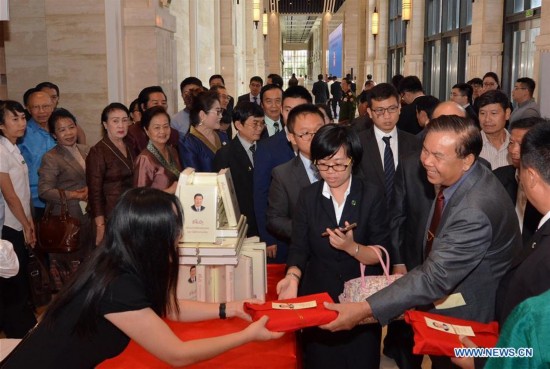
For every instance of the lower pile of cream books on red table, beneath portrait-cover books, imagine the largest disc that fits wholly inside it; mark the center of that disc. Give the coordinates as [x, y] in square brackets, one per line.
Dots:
[204, 277]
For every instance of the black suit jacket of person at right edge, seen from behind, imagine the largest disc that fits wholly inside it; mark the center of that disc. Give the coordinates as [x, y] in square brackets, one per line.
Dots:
[528, 276]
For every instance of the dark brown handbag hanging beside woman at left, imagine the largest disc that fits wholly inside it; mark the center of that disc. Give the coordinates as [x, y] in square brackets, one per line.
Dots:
[58, 233]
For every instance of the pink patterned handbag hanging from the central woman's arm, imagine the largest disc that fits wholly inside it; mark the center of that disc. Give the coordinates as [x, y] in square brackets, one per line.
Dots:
[358, 289]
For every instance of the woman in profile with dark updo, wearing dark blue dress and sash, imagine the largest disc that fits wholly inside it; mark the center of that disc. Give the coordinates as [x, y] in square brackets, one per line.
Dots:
[199, 146]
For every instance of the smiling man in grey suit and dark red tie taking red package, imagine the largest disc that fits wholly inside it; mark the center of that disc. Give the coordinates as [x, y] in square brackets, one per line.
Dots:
[473, 237]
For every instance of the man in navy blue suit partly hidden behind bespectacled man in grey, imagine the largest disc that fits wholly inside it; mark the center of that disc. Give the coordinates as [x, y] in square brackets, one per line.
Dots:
[270, 153]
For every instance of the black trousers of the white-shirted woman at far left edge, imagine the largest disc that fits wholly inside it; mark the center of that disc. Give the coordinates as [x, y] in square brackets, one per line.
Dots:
[16, 312]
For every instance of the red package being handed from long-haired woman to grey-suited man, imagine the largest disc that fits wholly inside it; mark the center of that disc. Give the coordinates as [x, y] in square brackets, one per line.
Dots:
[293, 314]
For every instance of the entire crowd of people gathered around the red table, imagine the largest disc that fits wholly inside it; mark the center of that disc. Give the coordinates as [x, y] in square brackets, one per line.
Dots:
[455, 190]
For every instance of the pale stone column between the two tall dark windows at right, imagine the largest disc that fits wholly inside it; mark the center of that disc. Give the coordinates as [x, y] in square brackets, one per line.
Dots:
[485, 51]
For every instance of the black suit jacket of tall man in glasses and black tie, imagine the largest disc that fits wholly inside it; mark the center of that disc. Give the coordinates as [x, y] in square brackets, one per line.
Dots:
[371, 163]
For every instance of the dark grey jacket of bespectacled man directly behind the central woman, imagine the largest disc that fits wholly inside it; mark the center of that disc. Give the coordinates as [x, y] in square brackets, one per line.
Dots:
[288, 179]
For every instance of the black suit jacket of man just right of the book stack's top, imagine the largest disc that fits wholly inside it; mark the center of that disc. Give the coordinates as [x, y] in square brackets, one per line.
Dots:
[234, 157]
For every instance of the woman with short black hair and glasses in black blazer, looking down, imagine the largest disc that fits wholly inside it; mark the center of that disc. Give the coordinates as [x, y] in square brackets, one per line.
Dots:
[322, 264]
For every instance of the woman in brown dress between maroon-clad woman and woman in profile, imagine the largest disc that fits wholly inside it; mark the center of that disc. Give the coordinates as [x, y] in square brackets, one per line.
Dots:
[158, 165]
